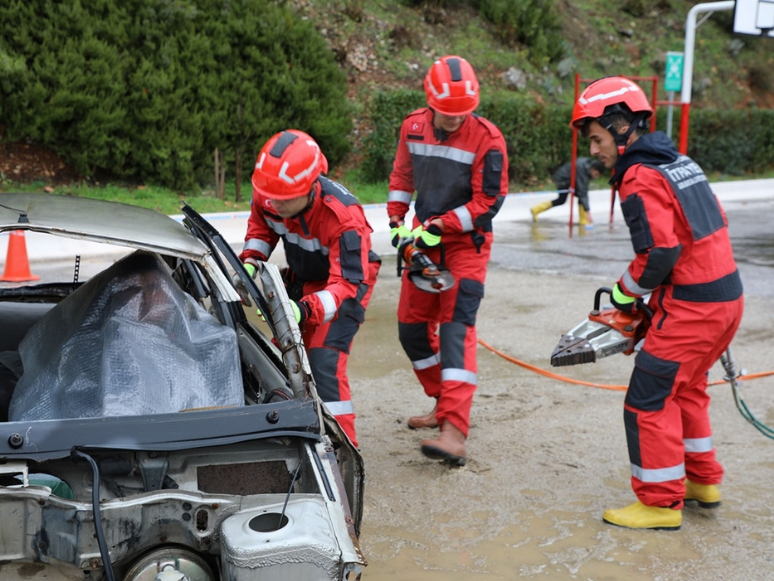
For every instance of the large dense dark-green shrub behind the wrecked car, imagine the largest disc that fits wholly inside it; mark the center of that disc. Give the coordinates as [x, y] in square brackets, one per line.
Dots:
[147, 89]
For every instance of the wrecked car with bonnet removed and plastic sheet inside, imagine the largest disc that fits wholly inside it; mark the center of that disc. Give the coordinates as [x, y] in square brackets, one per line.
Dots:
[149, 430]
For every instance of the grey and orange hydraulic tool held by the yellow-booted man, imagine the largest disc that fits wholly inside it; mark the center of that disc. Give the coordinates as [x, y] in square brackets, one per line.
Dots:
[604, 333]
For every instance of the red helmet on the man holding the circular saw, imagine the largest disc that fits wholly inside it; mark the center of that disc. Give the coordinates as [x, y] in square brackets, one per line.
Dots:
[451, 86]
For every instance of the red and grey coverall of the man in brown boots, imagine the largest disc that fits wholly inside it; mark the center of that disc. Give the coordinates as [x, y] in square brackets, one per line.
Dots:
[461, 178]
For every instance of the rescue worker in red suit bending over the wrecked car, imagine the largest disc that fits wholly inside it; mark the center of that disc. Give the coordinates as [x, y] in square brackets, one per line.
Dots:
[331, 267]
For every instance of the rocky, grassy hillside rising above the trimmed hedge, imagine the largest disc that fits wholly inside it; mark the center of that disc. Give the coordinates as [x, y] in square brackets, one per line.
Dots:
[389, 43]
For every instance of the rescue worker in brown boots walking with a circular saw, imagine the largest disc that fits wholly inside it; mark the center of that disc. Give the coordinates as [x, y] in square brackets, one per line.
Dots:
[456, 162]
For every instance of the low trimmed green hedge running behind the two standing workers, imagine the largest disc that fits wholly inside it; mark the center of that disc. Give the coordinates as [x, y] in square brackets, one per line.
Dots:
[539, 138]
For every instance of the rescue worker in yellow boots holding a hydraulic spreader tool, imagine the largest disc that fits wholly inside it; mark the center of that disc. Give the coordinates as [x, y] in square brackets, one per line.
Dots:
[684, 261]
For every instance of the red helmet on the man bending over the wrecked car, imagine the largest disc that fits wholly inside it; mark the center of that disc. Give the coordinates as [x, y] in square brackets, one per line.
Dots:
[288, 165]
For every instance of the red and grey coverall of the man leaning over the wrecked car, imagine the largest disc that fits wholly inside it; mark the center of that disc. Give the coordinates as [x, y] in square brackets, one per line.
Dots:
[330, 266]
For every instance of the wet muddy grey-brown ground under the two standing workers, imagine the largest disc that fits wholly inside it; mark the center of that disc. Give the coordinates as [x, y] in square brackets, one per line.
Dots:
[547, 457]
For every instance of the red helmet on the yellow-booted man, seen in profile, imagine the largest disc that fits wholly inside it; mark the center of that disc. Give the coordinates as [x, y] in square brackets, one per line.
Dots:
[609, 95]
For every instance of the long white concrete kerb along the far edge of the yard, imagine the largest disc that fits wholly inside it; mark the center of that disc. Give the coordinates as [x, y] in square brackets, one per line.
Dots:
[233, 225]
